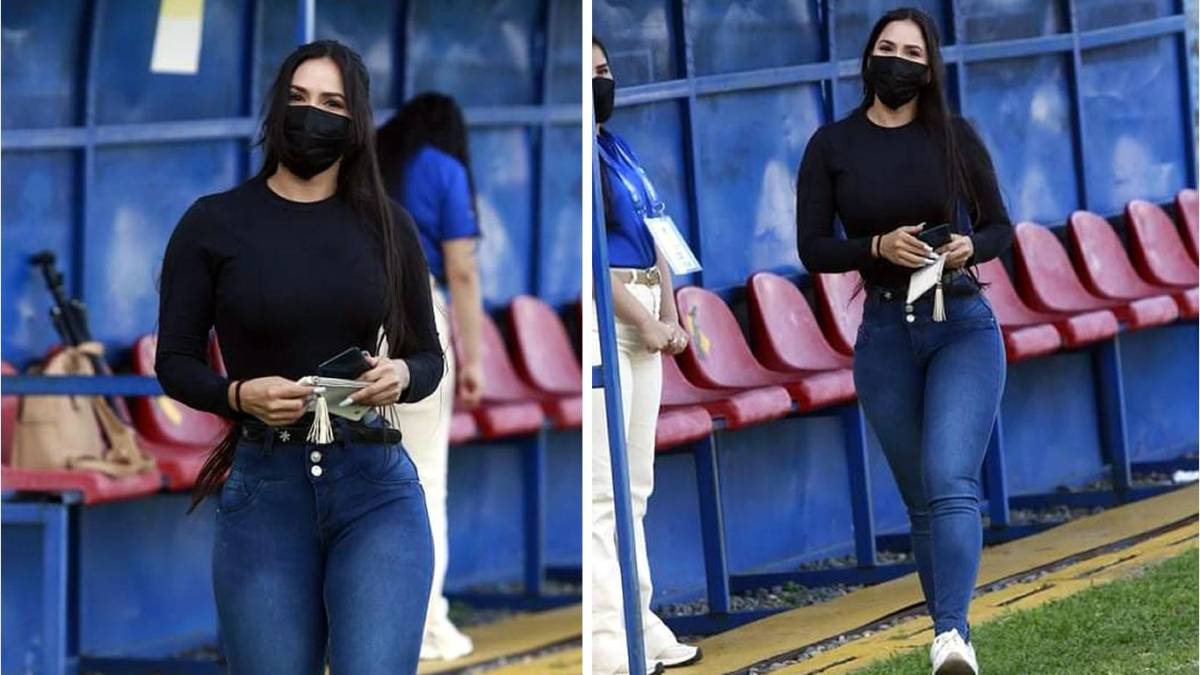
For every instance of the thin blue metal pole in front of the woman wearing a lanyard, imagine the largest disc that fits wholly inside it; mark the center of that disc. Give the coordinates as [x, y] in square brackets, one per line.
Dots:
[610, 380]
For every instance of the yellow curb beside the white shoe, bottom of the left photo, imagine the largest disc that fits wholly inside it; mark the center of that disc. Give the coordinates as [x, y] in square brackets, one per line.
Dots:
[518, 635]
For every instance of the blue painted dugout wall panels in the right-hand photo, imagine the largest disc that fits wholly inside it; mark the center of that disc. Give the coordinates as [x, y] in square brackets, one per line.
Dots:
[1084, 105]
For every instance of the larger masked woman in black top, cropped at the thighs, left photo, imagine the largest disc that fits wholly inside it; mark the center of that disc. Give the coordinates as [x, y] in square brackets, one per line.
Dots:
[315, 545]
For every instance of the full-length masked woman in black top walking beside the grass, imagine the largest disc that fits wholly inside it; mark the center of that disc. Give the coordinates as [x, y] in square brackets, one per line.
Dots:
[931, 386]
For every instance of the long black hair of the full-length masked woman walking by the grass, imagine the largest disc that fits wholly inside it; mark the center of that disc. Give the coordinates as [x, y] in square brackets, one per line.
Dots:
[933, 107]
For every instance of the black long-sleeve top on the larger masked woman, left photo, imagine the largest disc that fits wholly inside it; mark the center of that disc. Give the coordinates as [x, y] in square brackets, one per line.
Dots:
[287, 286]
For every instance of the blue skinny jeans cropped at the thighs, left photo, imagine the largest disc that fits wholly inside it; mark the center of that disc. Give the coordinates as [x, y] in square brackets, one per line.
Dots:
[322, 552]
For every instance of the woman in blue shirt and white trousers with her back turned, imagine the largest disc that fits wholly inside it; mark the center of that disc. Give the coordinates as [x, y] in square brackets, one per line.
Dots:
[427, 168]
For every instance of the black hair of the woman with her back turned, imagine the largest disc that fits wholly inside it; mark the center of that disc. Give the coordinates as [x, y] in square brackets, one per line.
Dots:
[428, 120]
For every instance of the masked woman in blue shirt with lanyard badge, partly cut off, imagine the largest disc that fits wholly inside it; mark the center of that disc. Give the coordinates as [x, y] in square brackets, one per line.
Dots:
[647, 327]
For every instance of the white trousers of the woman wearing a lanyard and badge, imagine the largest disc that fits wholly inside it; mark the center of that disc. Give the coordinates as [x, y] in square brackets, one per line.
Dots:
[641, 390]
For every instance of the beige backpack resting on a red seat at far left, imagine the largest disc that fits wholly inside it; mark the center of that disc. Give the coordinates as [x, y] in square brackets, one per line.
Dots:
[75, 433]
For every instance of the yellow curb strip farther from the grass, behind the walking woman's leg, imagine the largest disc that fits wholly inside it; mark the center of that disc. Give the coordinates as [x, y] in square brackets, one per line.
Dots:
[791, 630]
